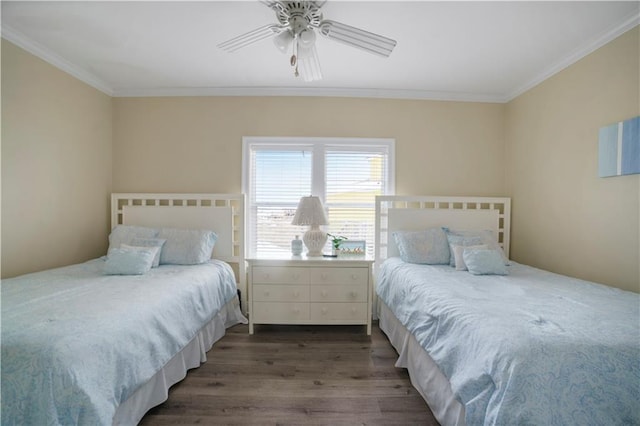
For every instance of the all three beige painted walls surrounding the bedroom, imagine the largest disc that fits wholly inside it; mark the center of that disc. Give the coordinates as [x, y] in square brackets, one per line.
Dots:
[540, 149]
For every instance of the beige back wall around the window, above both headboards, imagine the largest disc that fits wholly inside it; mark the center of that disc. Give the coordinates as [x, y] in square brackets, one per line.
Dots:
[195, 144]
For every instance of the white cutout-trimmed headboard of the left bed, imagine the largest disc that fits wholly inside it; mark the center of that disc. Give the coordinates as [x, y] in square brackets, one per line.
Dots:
[221, 213]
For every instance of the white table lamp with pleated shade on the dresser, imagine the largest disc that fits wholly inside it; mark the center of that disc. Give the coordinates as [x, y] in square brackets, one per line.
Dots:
[311, 212]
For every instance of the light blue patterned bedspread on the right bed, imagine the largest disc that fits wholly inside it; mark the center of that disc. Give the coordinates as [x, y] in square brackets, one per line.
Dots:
[532, 347]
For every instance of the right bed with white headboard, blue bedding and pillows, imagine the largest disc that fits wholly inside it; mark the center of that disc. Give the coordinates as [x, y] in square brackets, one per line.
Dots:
[488, 341]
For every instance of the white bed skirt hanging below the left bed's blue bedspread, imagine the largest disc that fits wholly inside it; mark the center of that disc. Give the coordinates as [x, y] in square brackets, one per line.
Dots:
[156, 390]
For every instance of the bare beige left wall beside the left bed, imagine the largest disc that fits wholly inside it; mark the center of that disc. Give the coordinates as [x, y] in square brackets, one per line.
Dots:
[56, 165]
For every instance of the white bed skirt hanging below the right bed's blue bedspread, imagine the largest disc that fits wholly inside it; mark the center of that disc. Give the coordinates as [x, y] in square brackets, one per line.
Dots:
[424, 373]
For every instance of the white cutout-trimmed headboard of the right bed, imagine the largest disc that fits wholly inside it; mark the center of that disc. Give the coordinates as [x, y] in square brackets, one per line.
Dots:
[420, 212]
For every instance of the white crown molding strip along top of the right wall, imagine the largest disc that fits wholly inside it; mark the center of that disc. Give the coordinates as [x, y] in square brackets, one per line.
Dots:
[591, 46]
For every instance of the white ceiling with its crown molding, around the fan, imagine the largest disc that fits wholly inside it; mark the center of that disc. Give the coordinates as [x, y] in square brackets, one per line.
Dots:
[453, 50]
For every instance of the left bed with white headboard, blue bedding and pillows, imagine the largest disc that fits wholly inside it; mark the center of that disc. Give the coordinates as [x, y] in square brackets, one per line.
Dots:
[101, 342]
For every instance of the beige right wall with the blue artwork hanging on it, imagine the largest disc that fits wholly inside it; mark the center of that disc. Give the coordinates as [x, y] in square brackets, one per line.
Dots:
[565, 218]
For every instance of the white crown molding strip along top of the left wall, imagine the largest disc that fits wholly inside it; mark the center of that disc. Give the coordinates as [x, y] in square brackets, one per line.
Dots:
[54, 59]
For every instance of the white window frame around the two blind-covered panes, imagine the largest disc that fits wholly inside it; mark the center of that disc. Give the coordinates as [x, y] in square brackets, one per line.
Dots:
[319, 147]
